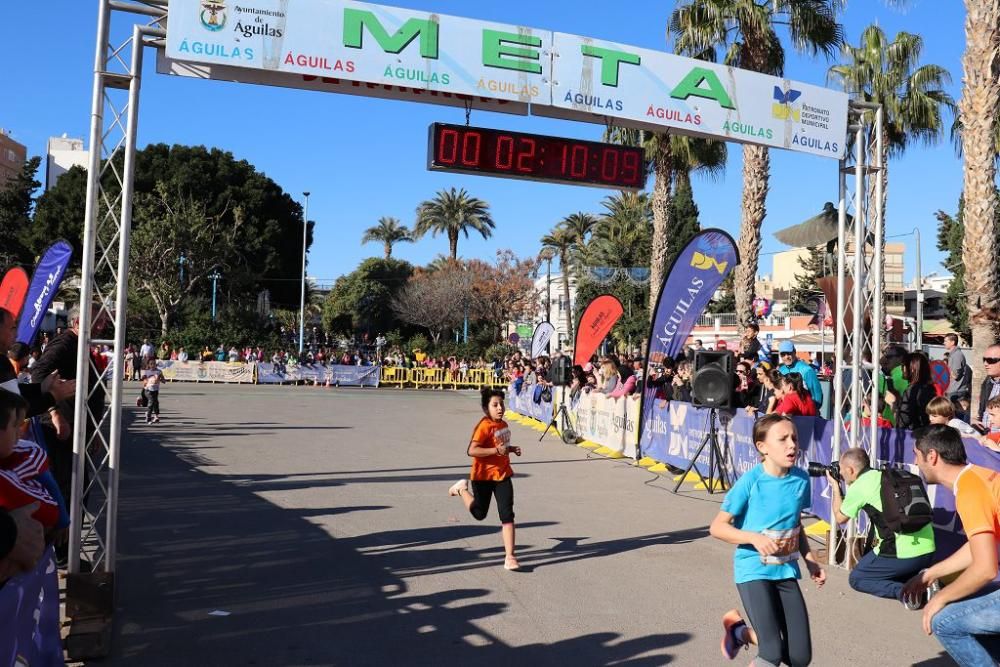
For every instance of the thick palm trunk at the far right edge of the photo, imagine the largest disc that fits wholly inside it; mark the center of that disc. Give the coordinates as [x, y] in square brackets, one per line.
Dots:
[978, 108]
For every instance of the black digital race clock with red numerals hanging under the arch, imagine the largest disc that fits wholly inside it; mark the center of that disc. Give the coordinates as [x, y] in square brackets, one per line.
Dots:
[477, 150]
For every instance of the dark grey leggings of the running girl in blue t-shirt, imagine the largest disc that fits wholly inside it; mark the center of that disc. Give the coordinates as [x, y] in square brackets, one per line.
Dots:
[778, 615]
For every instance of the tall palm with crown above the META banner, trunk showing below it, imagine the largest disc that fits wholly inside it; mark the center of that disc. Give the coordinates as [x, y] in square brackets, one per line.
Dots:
[746, 30]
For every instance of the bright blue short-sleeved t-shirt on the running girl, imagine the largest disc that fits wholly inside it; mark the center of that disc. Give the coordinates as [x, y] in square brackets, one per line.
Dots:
[761, 503]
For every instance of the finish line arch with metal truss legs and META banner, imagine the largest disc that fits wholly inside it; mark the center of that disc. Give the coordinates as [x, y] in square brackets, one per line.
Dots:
[524, 70]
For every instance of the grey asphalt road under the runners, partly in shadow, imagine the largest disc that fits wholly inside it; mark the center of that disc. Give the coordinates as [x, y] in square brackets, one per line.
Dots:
[308, 526]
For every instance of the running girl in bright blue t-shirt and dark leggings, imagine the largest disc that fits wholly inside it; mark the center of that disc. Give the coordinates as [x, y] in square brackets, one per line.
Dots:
[761, 515]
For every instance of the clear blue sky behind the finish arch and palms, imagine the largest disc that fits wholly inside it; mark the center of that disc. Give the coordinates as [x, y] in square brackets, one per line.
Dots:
[364, 158]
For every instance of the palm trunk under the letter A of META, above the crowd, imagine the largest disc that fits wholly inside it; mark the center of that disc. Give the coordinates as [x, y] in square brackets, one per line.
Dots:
[756, 175]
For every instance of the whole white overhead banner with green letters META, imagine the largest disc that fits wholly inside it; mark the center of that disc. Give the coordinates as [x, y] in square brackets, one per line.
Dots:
[367, 49]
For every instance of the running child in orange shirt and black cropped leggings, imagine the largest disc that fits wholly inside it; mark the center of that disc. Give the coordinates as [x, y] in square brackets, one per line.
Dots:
[490, 450]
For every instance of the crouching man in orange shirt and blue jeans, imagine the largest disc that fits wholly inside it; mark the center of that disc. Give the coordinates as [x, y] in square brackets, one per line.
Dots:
[960, 614]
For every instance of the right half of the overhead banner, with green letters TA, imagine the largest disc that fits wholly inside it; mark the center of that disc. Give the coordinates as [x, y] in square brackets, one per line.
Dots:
[594, 80]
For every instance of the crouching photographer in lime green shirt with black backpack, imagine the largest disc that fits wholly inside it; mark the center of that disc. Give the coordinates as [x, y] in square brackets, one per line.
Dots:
[904, 532]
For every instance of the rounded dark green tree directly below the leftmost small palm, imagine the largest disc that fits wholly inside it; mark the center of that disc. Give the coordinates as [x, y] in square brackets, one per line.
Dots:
[361, 300]
